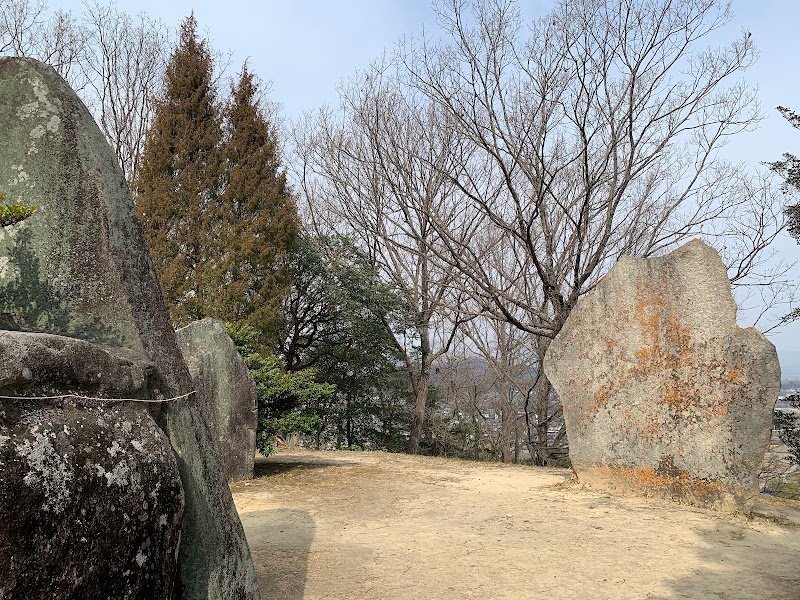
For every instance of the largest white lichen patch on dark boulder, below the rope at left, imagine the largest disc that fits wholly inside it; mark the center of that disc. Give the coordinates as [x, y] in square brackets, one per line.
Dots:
[47, 470]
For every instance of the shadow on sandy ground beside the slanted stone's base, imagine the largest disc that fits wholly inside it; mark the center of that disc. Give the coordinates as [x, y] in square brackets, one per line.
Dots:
[280, 542]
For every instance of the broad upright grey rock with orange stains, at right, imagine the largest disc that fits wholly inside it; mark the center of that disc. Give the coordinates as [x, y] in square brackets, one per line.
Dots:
[662, 392]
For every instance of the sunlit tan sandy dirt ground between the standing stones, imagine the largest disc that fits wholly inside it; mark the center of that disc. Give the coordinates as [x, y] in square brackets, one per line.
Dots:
[353, 526]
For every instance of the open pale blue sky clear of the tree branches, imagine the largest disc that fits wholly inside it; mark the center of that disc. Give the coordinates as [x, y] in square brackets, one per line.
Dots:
[306, 47]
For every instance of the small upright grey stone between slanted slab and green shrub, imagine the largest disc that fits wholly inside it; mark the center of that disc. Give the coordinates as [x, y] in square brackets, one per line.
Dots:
[226, 394]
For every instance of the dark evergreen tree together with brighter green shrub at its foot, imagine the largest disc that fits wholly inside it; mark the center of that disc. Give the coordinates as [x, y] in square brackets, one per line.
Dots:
[338, 380]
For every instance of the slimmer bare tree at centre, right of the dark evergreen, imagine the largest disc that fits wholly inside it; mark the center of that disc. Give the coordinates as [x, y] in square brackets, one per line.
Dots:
[379, 170]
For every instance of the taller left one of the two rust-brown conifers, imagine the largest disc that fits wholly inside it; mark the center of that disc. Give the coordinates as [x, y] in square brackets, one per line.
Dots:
[178, 178]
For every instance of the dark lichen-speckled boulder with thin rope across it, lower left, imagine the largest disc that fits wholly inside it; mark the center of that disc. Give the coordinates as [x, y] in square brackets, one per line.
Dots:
[90, 496]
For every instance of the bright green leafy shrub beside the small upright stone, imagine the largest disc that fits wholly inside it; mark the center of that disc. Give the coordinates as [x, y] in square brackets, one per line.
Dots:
[288, 402]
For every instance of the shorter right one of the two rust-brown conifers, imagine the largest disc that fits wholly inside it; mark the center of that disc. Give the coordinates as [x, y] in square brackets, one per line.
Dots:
[257, 217]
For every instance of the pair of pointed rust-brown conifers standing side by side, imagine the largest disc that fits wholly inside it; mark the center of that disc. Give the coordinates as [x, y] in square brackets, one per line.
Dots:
[212, 196]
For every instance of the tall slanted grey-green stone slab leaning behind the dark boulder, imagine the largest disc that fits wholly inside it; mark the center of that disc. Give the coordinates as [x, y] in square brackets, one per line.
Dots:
[80, 267]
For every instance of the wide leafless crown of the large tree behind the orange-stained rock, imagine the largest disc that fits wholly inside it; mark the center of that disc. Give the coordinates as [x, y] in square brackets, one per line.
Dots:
[590, 134]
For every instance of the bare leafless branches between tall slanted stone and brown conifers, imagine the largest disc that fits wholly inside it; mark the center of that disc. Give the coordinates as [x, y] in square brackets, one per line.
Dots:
[115, 62]
